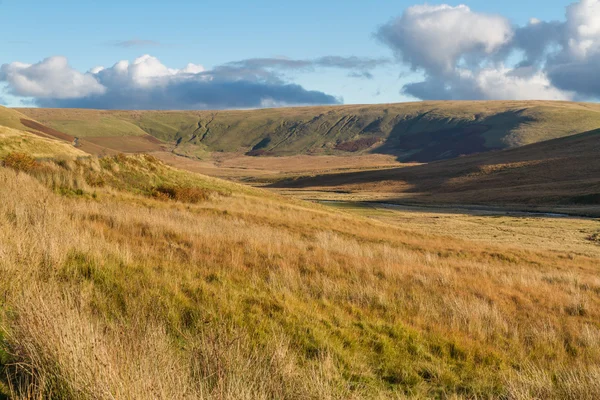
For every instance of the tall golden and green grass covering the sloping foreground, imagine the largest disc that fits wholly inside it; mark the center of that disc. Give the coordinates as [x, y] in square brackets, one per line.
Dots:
[109, 291]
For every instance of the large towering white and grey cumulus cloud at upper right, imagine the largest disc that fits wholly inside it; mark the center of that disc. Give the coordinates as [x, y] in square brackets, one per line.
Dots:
[463, 54]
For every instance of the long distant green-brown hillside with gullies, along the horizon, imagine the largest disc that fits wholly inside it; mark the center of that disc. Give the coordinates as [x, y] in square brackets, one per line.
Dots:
[422, 131]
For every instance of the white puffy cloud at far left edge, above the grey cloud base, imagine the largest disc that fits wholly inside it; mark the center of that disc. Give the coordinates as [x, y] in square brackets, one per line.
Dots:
[50, 78]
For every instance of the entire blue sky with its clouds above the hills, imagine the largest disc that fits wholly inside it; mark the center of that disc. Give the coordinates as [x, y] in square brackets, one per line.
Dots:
[265, 53]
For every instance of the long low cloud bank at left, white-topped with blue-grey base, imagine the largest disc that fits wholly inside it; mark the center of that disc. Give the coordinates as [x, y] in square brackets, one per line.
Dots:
[146, 83]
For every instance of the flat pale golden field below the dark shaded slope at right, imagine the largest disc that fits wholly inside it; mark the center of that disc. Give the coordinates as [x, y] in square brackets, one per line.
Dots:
[525, 231]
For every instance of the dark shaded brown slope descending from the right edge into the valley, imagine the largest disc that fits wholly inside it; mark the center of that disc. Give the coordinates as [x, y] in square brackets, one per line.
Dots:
[555, 172]
